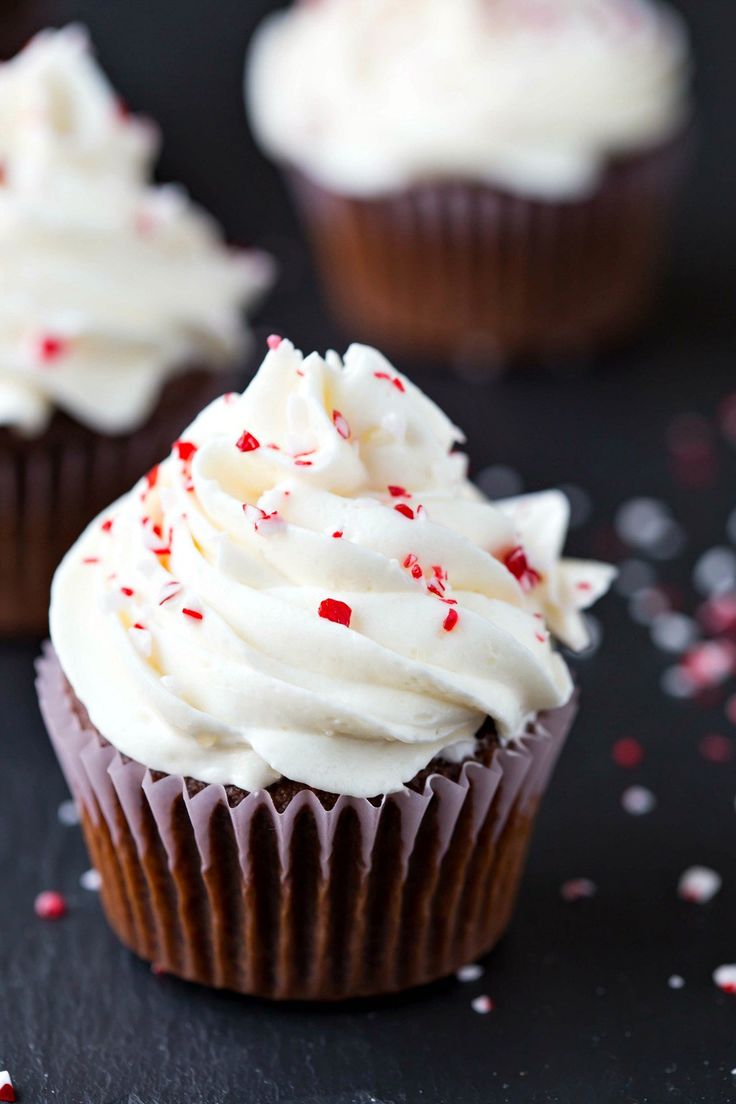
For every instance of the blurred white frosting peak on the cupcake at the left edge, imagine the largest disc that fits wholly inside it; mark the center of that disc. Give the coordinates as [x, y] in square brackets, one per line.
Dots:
[110, 285]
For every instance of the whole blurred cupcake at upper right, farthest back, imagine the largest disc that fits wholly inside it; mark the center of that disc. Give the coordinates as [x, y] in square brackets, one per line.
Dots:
[492, 179]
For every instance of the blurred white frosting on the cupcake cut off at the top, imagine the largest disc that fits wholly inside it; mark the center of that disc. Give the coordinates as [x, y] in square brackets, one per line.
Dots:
[367, 97]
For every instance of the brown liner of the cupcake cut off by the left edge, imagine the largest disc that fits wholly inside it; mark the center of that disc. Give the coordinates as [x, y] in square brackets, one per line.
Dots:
[52, 486]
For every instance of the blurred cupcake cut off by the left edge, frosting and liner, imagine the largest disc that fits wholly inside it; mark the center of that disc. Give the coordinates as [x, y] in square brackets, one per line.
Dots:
[121, 314]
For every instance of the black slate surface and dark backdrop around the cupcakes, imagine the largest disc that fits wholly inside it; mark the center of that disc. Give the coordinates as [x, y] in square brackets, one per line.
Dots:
[584, 1011]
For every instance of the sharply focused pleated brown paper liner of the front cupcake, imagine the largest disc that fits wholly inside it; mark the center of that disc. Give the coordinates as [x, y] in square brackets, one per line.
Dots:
[307, 904]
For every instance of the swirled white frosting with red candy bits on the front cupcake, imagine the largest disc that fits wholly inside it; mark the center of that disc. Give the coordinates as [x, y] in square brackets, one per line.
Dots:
[261, 685]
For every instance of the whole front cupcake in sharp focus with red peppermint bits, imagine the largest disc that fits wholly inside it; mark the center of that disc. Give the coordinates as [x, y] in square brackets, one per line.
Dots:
[304, 688]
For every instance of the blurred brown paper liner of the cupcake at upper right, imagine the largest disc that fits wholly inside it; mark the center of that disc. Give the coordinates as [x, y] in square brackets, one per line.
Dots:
[463, 270]
